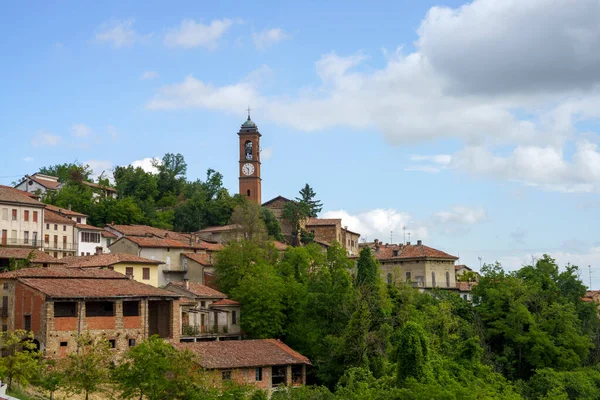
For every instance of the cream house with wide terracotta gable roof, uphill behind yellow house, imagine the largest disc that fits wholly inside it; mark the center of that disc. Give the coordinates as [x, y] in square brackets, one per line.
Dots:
[167, 249]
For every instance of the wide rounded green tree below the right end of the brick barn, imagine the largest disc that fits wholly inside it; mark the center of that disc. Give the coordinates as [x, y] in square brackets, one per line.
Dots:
[155, 370]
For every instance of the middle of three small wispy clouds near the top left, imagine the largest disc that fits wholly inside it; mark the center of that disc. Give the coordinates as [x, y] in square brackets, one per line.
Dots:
[192, 34]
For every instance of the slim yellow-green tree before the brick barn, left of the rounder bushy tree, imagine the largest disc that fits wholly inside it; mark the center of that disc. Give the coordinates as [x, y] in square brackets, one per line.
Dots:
[88, 369]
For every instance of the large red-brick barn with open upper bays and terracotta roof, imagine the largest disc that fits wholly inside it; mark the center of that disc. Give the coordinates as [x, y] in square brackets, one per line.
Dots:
[58, 304]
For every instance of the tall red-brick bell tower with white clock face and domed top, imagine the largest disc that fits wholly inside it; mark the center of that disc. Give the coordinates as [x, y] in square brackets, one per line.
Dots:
[250, 181]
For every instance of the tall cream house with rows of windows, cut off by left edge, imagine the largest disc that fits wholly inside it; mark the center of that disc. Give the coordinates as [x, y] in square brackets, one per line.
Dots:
[21, 219]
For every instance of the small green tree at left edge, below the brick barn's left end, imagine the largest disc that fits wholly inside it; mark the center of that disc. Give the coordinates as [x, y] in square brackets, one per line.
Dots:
[20, 357]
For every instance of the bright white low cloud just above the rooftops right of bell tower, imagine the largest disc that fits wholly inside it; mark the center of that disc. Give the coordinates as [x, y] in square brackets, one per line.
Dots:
[378, 223]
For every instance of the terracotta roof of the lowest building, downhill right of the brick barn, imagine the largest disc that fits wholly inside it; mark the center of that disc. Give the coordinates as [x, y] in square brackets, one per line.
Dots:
[243, 353]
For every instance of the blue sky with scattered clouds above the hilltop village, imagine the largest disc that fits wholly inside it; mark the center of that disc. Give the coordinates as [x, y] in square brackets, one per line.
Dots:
[470, 126]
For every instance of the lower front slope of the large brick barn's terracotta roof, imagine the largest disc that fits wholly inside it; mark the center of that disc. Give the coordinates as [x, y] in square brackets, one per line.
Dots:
[94, 287]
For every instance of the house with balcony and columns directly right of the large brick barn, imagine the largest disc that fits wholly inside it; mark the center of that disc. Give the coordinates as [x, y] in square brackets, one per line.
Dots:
[206, 314]
